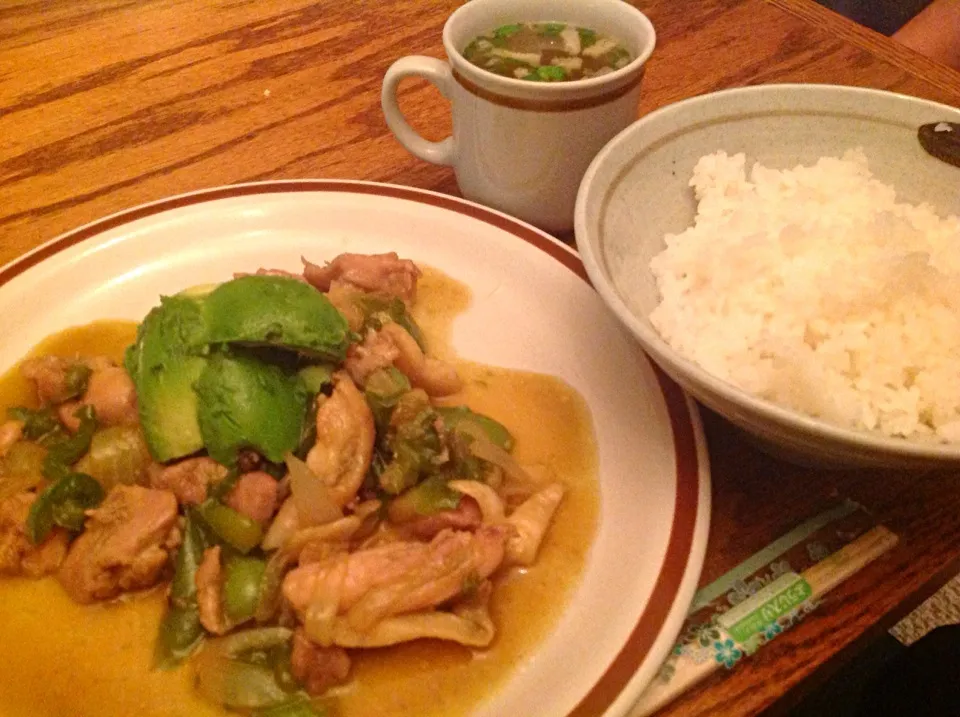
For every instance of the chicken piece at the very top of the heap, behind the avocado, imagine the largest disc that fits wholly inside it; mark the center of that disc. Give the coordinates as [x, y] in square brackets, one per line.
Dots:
[385, 274]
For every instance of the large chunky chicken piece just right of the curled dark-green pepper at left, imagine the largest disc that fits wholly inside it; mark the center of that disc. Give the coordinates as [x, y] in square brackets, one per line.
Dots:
[124, 545]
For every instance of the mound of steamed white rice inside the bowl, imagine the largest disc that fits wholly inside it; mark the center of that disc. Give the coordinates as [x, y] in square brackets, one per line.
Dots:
[815, 289]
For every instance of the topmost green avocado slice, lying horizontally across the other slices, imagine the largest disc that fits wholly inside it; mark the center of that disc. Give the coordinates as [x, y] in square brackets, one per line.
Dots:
[276, 311]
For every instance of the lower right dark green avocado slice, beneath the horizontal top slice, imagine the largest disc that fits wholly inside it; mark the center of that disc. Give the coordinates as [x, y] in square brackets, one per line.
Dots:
[245, 403]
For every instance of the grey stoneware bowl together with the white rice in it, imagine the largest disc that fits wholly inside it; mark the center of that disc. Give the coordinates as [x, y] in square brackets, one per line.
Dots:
[790, 255]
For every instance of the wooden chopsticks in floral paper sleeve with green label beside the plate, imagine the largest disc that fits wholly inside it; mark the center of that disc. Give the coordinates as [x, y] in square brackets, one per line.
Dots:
[759, 618]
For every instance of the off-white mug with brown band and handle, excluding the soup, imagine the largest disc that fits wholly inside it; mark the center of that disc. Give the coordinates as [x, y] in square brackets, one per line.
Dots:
[522, 147]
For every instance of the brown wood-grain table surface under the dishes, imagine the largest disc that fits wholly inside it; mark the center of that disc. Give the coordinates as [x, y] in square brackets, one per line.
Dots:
[108, 103]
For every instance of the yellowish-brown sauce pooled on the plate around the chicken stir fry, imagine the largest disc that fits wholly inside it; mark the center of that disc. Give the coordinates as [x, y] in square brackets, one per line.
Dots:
[60, 658]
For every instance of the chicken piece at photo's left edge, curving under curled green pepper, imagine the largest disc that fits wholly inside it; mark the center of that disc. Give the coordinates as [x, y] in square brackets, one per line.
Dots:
[18, 556]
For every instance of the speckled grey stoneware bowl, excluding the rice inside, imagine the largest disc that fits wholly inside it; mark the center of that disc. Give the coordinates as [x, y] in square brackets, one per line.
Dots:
[636, 191]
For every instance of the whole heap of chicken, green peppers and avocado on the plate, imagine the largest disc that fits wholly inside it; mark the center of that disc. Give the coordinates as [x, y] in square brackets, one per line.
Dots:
[283, 455]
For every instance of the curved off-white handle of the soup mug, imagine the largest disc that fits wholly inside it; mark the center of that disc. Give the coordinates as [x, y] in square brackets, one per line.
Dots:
[438, 74]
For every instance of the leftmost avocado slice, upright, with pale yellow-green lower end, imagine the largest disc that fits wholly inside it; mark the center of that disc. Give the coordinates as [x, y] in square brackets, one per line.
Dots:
[165, 362]
